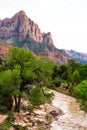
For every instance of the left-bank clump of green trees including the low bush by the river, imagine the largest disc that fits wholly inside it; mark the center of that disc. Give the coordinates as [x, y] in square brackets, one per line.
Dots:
[22, 71]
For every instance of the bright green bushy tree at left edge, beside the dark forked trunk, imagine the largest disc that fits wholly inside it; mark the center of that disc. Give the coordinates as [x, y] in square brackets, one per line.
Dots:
[9, 81]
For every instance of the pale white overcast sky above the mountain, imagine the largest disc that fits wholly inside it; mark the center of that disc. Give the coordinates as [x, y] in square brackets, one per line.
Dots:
[65, 19]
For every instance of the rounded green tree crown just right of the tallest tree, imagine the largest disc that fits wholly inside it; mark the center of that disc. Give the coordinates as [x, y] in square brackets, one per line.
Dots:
[44, 71]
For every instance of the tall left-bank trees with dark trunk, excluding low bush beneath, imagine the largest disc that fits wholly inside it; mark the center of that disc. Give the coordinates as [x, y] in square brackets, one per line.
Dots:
[24, 68]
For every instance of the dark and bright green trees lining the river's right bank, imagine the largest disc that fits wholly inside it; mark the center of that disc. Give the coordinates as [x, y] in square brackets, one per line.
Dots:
[71, 79]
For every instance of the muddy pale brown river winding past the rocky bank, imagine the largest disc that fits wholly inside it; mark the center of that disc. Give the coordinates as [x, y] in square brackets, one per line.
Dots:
[73, 118]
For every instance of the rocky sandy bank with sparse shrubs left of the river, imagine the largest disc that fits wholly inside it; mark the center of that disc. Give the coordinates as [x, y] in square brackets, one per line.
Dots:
[39, 119]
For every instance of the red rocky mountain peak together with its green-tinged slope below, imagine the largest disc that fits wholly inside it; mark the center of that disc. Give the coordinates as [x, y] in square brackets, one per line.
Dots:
[23, 32]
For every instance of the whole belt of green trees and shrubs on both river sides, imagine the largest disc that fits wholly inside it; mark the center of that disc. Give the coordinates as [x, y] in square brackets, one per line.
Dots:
[24, 75]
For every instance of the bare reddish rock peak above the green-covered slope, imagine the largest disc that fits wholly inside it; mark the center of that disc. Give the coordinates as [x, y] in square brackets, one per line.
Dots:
[22, 27]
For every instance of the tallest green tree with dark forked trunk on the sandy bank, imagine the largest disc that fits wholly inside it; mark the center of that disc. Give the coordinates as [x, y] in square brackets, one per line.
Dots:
[23, 60]
